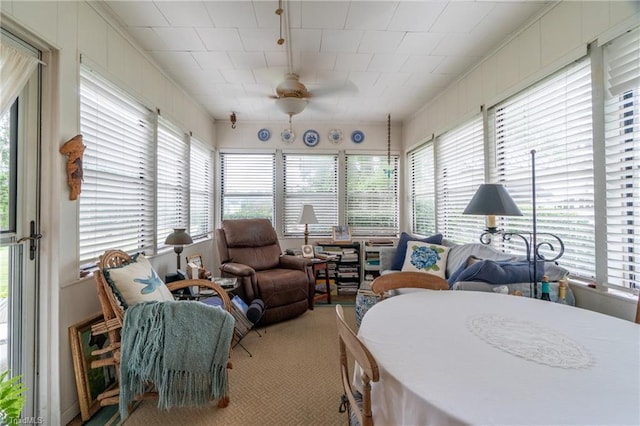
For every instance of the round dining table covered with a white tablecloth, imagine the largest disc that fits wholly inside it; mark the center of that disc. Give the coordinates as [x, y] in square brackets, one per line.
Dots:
[458, 357]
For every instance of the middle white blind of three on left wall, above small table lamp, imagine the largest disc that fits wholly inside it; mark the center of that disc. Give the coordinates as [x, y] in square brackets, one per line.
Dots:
[172, 196]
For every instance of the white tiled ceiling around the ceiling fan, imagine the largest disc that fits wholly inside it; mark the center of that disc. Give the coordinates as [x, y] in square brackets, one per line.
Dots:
[361, 60]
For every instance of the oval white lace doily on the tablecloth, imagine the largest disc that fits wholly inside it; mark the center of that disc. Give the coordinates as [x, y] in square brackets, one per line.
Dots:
[529, 341]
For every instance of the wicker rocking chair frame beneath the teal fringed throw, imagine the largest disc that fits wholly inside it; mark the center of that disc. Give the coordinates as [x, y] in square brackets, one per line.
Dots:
[113, 313]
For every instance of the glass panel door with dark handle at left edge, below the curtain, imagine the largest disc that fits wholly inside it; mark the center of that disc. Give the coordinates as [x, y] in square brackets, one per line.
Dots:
[19, 191]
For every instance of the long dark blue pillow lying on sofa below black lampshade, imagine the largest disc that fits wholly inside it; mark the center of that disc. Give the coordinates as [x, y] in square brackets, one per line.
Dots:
[493, 272]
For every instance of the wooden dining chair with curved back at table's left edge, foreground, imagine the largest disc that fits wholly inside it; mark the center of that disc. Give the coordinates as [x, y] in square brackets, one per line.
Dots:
[357, 404]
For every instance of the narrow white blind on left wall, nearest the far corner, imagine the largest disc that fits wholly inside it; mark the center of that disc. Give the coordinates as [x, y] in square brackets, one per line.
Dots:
[200, 190]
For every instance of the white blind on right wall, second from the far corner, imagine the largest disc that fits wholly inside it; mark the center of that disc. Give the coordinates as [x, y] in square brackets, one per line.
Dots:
[459, 172]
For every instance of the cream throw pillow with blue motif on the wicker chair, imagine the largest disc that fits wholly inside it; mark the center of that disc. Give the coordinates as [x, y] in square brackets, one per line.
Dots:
[137, 282]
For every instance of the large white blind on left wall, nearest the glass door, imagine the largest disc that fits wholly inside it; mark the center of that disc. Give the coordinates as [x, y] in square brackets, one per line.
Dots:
[116, 205]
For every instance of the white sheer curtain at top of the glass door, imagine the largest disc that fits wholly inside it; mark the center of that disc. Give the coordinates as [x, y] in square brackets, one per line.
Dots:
[16, 68]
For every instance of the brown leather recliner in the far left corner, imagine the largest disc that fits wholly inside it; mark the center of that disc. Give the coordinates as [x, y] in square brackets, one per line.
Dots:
[250, 251]
